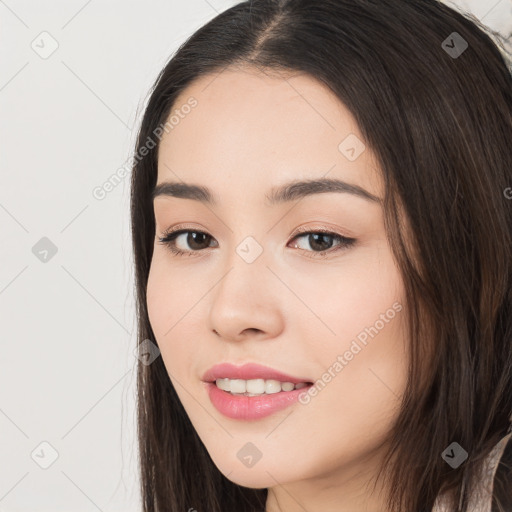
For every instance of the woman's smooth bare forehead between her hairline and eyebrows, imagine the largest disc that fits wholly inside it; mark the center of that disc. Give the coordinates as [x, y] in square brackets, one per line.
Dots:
[249, 127]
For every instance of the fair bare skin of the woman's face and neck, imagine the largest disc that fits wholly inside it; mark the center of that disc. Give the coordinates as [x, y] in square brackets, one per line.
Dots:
[288, 309]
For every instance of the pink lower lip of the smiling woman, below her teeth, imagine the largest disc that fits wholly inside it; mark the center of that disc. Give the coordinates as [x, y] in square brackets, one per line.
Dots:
[251, 407]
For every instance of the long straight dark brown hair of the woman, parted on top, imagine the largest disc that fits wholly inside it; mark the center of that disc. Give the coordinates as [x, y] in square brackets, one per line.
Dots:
[432, 95]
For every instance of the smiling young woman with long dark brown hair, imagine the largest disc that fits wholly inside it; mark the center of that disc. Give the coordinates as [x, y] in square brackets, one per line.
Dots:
[323, 236]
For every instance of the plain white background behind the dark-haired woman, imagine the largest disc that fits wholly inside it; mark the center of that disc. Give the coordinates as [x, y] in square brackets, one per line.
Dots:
[68, 122]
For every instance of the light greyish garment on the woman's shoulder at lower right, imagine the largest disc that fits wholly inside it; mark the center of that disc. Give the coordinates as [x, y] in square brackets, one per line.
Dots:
[481, 497]
